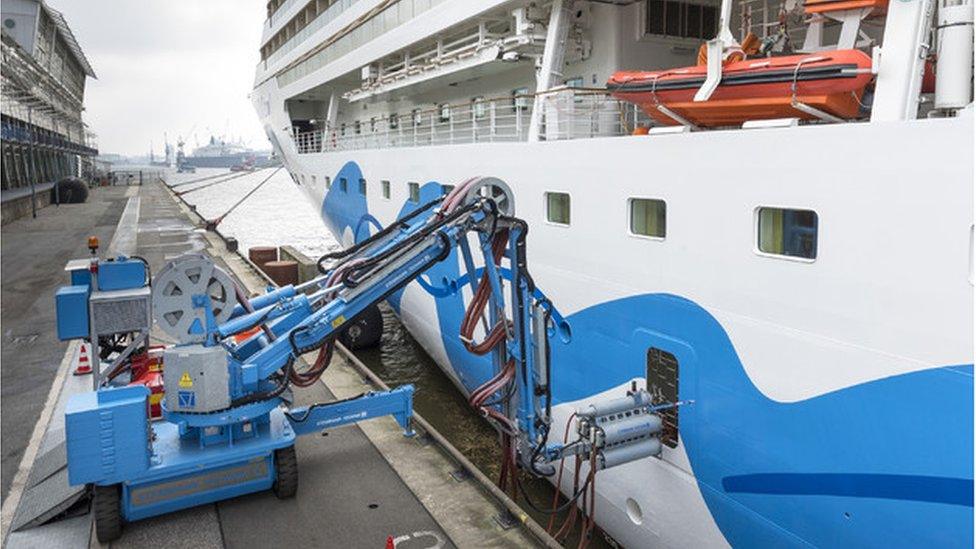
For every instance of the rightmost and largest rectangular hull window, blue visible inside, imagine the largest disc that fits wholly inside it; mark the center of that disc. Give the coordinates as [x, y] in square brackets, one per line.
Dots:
[792, 233]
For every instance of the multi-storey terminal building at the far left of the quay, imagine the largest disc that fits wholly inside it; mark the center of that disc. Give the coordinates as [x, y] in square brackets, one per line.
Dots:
[44, 137]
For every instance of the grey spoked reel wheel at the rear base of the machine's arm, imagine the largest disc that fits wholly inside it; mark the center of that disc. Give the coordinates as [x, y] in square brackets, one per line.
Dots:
[174, 288]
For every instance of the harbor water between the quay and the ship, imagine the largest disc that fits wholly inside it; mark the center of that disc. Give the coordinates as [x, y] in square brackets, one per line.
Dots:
[399, 359]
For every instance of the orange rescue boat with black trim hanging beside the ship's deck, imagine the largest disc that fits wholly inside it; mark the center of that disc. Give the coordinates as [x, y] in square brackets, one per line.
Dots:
[754, 89]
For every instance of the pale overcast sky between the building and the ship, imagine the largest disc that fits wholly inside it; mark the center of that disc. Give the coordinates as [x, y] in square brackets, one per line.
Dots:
[183, 67]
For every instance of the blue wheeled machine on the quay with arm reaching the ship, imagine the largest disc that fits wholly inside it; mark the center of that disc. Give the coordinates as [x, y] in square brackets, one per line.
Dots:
[228, 428]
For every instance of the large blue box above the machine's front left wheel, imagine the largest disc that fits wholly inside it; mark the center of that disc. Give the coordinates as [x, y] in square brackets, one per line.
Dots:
[107, 434]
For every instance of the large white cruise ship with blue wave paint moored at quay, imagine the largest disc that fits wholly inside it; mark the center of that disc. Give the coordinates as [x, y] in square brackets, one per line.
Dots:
[762, 209]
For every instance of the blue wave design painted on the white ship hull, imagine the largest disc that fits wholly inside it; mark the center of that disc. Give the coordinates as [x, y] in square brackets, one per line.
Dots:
[883, 463]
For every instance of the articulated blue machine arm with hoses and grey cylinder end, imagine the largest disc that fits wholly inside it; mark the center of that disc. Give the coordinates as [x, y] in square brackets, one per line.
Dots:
[517, 398]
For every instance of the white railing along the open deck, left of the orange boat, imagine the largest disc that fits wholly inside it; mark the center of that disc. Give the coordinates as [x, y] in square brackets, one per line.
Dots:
[568, 113]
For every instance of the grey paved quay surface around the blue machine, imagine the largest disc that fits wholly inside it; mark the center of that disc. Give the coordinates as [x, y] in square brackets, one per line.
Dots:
[357, 486]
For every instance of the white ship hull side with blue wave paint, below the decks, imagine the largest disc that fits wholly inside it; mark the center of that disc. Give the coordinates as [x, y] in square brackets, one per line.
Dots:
[832, 397]
